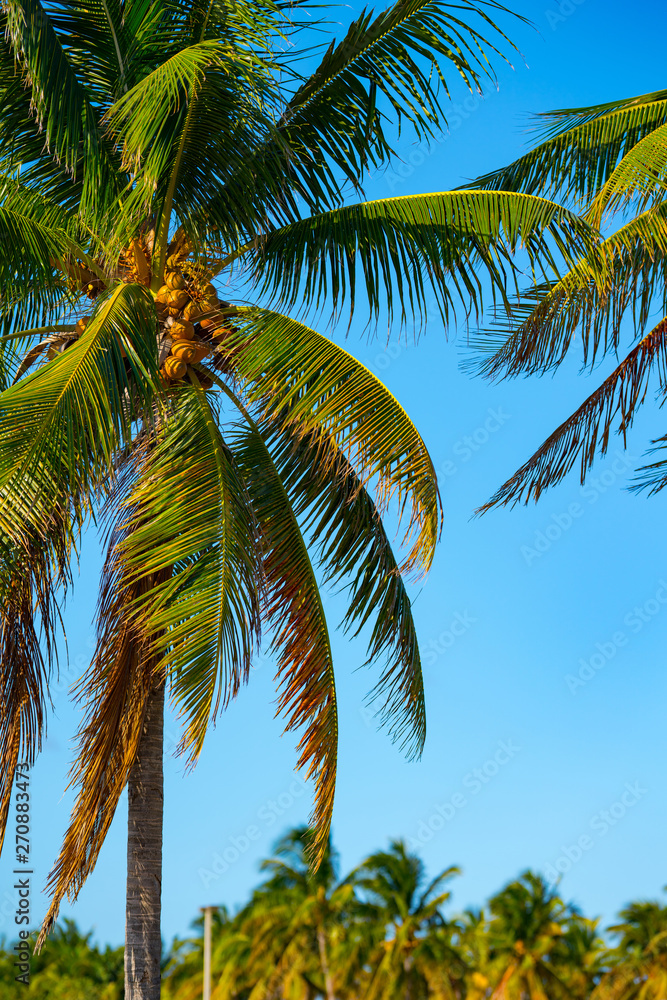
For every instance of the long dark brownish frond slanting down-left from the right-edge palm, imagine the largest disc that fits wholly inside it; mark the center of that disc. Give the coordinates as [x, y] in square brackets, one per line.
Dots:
[586, 433]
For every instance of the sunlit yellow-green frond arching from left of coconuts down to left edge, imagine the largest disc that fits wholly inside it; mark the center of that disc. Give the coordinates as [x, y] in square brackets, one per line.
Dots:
[62, 425]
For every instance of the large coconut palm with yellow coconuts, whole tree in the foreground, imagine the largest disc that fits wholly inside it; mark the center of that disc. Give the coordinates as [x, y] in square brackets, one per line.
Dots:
[150, 150]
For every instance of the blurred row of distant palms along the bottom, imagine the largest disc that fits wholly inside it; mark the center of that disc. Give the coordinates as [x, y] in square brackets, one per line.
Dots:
[381, 932]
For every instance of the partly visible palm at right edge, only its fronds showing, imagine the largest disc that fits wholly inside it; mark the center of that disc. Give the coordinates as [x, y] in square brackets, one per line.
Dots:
[609, 163]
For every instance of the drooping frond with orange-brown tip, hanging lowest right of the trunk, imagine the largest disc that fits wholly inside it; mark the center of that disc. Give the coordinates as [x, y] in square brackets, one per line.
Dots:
[293, 610]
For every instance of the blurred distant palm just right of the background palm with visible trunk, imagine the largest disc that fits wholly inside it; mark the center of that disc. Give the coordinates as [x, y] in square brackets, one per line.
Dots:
[413, 957]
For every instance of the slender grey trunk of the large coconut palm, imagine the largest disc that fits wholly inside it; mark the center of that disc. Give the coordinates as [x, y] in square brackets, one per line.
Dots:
[143, 942]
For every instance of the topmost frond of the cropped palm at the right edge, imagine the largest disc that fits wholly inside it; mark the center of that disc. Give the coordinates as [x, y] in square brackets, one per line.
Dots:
[581, 148]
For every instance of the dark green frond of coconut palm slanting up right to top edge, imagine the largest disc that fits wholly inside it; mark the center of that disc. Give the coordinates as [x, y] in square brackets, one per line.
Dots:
[332, 126]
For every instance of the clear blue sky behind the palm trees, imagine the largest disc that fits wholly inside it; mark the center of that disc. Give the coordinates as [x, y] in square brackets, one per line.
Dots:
[544, 629]
